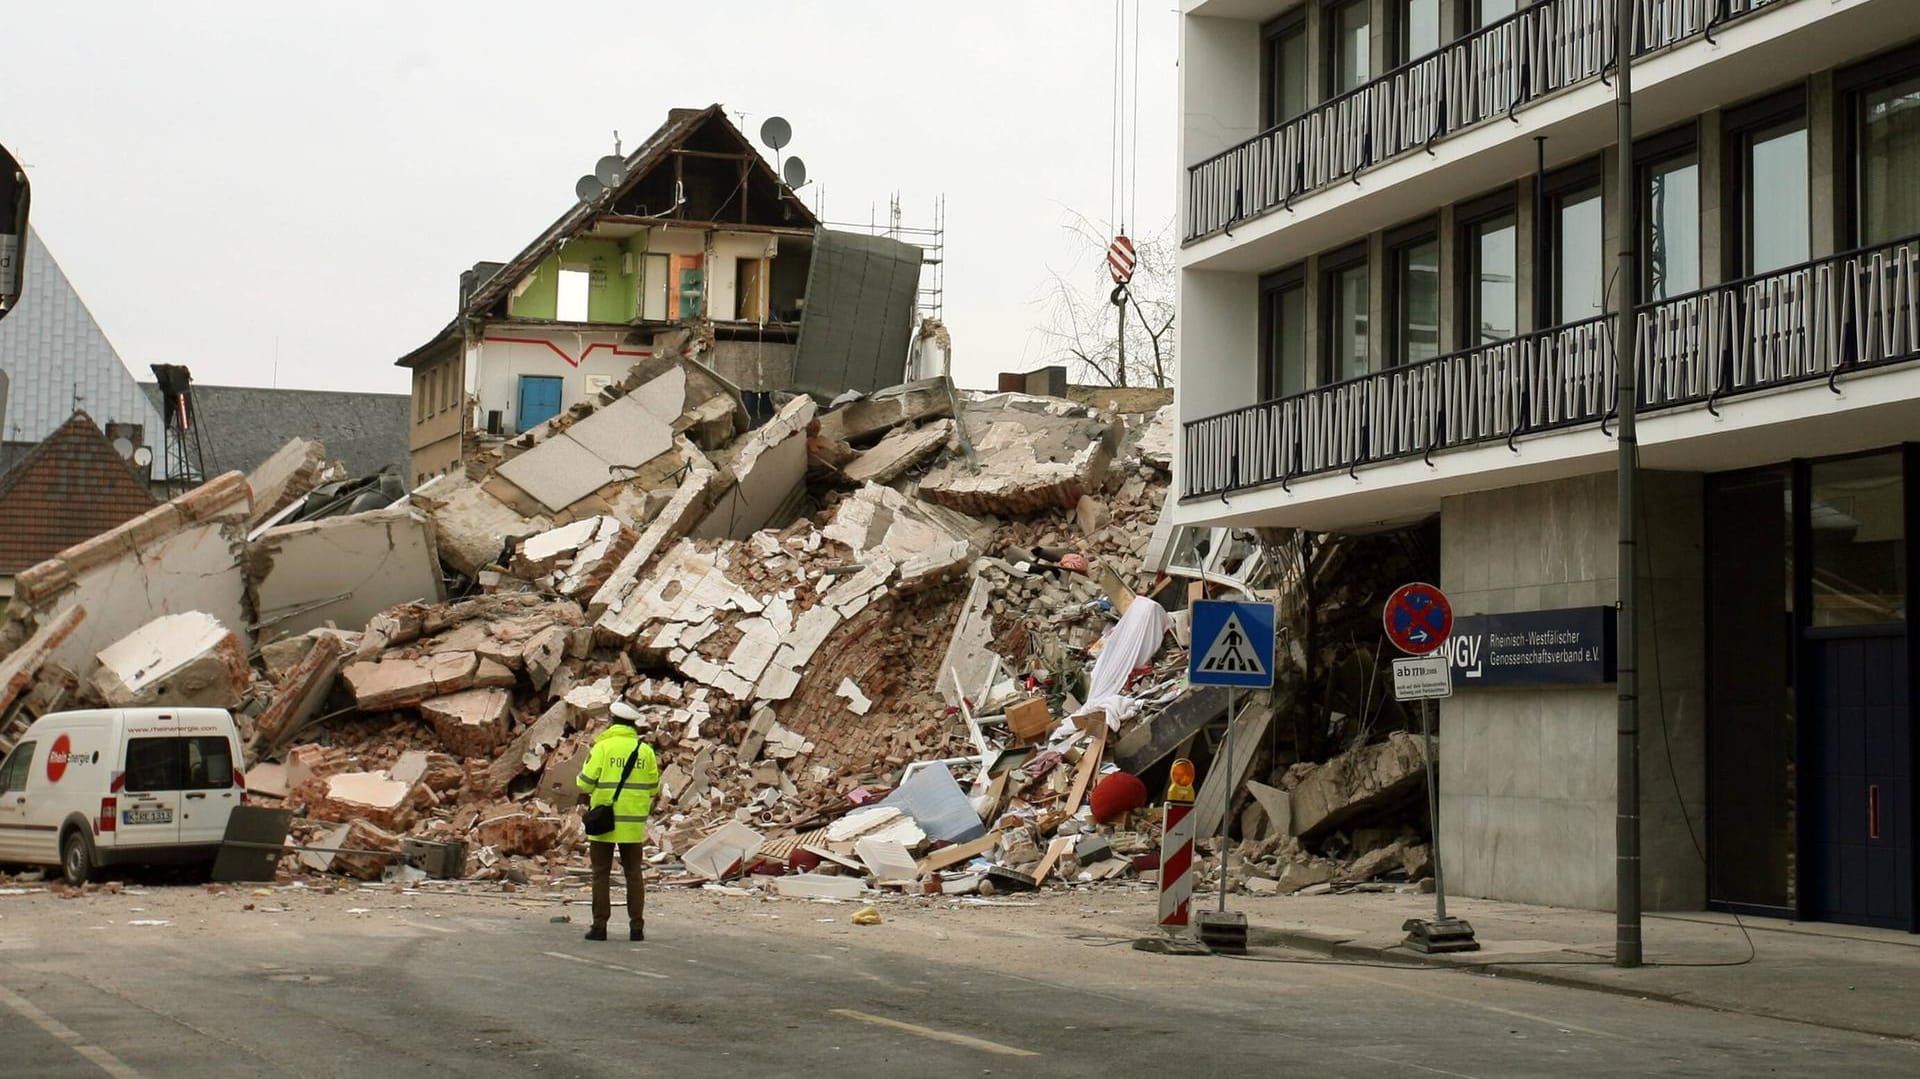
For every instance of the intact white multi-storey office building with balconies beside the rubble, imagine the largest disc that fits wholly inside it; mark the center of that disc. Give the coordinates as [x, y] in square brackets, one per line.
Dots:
[1399, 314]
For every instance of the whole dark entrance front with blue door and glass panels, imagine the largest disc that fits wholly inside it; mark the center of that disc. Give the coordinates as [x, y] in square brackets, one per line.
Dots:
[1810, 671]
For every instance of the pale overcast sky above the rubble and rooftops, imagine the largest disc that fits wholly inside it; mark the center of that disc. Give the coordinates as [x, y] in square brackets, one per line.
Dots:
[228, 183]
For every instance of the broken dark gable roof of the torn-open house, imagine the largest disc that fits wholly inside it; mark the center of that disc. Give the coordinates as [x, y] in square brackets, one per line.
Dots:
[681, 130]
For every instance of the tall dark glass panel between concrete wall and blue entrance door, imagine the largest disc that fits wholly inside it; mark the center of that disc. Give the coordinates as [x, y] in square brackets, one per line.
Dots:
[1750, 690]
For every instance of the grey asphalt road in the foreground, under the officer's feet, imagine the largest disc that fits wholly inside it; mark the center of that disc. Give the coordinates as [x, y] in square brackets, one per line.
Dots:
[477, 986]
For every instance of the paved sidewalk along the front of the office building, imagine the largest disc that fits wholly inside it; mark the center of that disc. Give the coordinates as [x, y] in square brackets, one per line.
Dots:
[1831, 976]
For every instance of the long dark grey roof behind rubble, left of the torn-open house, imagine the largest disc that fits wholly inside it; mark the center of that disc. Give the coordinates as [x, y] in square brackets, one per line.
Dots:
[247, 425]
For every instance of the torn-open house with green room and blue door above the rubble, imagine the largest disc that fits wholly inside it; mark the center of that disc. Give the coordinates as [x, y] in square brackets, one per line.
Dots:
[696, 249]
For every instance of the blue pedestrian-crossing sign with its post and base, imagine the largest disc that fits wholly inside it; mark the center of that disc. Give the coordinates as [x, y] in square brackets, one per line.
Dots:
[1234, 648]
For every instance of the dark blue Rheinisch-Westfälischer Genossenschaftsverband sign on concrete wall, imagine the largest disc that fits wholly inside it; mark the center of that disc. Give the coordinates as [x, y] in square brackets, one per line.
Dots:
[1533, 648]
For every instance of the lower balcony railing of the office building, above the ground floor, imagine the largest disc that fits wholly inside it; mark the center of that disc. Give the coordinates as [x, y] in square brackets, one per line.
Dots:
[1813, 322]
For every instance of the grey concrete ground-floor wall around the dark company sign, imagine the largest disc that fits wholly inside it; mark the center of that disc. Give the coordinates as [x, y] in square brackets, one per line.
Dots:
[1527, 803]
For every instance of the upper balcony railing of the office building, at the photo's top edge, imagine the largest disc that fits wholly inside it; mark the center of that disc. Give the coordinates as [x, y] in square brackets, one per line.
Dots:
[1470, 82]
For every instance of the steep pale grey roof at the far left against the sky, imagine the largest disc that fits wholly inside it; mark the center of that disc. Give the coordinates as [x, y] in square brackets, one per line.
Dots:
[53, 350]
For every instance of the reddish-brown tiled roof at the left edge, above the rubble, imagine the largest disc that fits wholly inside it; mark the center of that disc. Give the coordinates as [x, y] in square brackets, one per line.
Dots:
[70, 489]
